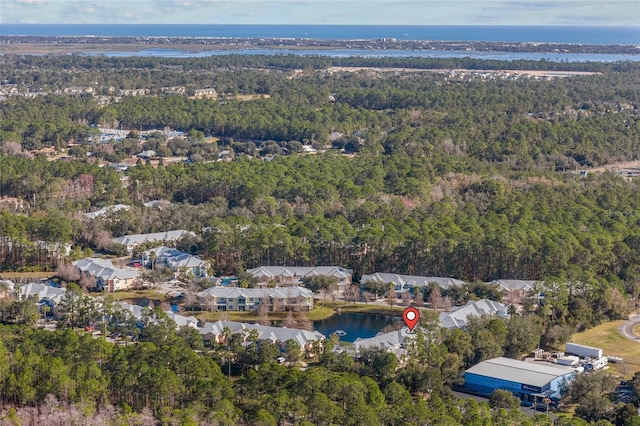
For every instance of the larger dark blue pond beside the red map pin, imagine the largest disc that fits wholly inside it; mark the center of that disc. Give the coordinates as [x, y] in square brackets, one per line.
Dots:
[354, 324]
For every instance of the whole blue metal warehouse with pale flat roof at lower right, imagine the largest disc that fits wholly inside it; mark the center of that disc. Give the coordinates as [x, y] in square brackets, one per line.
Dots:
[532, 382]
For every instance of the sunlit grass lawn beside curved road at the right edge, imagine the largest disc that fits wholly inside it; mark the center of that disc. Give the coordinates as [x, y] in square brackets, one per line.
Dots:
[606, 336]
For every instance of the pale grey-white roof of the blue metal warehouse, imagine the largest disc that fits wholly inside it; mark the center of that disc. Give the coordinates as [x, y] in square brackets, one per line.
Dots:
[512, 370]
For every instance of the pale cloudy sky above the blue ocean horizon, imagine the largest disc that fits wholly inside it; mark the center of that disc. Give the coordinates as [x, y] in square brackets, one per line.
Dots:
[350, 12]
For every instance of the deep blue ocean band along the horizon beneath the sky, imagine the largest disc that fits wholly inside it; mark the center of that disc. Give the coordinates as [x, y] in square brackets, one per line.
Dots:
[534, 34]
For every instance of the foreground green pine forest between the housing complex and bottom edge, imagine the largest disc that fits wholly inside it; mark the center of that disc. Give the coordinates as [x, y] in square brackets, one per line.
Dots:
[169, 377]
